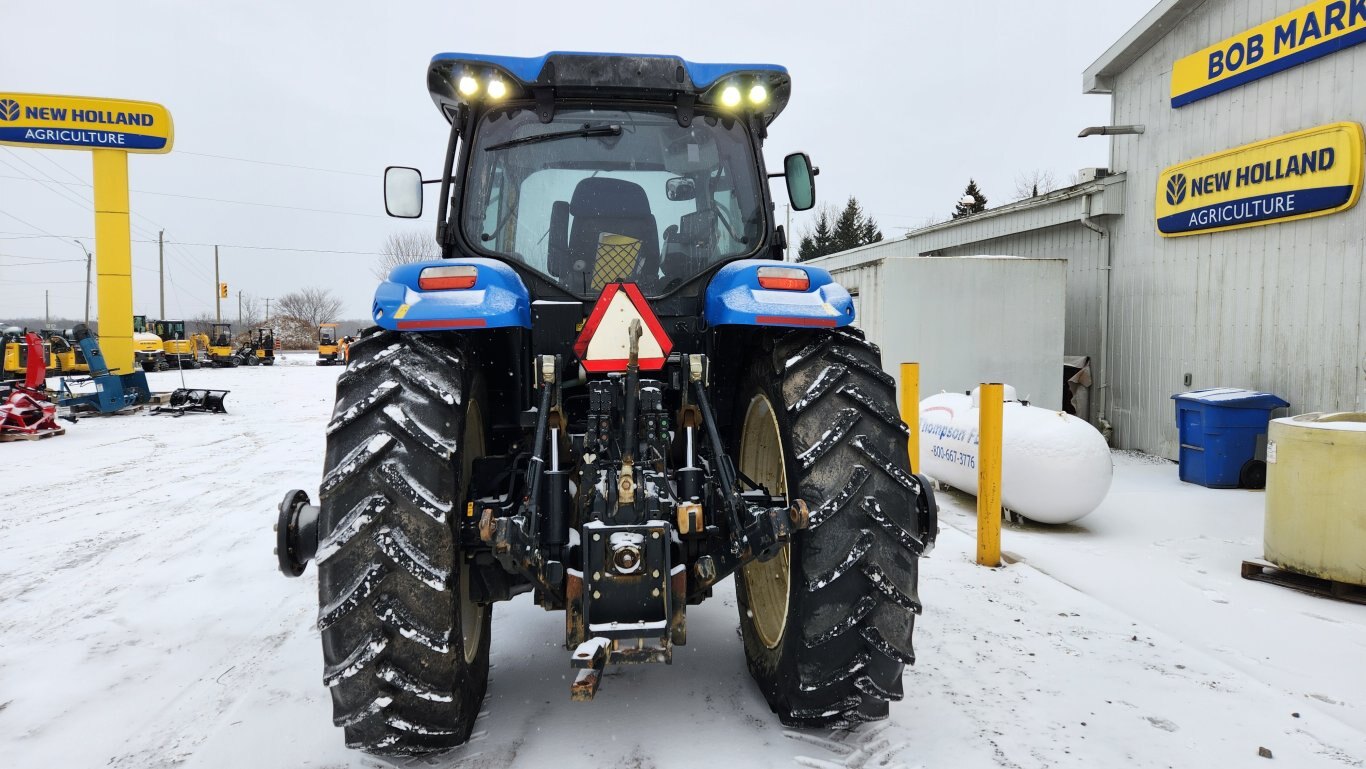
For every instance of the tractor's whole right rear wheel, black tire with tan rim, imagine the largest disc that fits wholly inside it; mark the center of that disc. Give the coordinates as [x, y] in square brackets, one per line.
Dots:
[827, 625]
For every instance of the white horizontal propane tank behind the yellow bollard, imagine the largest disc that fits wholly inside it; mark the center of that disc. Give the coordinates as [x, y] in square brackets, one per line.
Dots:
[1055, 468]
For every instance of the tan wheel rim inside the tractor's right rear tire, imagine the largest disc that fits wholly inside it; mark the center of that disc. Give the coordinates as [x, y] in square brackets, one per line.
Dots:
[768, 584]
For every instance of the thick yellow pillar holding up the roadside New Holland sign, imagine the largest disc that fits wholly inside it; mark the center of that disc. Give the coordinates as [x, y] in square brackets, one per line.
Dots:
[114, 257]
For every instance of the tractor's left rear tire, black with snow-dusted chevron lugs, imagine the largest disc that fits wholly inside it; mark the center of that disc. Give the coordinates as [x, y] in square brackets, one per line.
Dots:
[406, 651]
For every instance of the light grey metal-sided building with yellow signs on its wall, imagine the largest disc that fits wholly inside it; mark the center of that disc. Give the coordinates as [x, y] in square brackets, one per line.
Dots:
[1225, 245]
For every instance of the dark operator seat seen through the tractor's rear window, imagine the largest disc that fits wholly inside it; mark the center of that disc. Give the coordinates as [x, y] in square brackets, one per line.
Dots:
[613, 237]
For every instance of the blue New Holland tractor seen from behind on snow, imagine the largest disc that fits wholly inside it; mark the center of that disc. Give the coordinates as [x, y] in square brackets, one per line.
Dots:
[613, 394]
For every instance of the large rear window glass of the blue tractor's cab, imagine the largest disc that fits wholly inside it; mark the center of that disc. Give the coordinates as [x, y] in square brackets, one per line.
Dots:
[599, 196]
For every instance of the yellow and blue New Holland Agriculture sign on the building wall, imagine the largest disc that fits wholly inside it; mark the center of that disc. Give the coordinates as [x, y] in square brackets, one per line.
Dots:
[1298, 176]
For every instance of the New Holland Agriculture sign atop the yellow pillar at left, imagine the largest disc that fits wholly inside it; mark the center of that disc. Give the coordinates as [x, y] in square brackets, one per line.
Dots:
[73, 122]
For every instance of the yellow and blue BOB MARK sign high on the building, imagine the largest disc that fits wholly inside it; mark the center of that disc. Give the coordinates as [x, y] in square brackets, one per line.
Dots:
[1301, 36]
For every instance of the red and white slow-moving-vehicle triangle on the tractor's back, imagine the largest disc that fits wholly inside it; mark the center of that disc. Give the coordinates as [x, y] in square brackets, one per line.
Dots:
[606, 342]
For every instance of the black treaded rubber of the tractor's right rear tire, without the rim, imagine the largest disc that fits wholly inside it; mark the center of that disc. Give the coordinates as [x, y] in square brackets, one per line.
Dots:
[859, 568]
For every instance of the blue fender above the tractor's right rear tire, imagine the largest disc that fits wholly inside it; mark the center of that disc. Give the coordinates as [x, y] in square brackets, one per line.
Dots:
[736, 298]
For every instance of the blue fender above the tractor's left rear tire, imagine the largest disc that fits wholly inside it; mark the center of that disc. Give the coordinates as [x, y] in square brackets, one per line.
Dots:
[498, 300]
